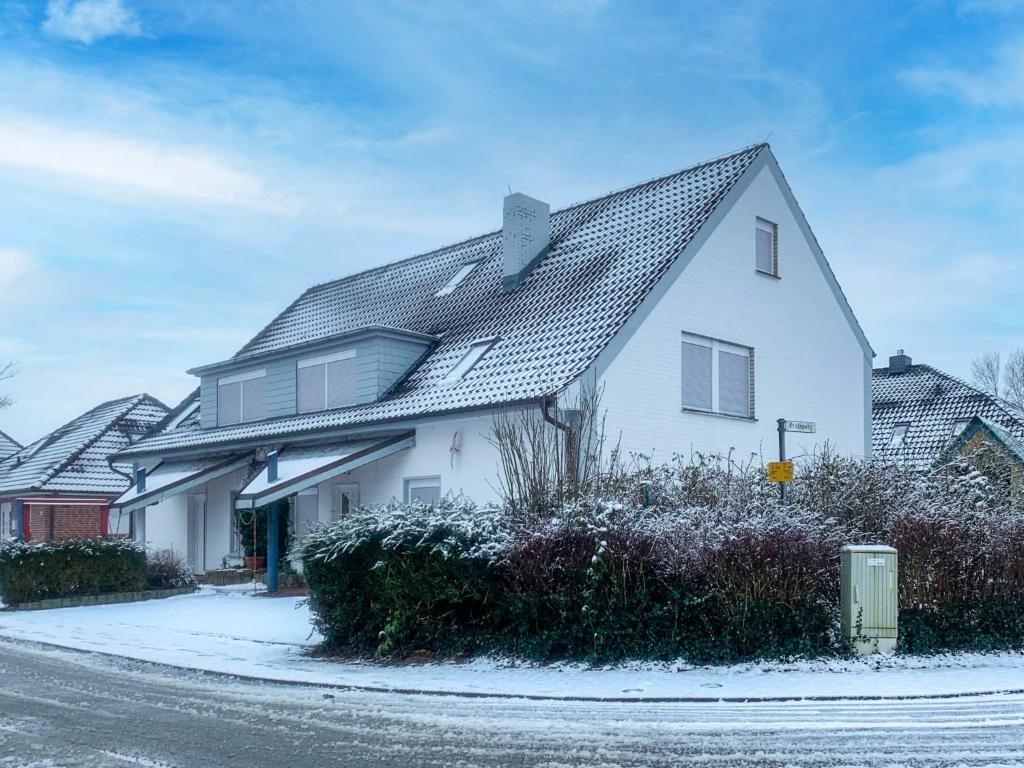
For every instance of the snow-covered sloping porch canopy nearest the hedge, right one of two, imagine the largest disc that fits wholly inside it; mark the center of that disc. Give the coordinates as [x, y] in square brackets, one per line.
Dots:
[301, 468]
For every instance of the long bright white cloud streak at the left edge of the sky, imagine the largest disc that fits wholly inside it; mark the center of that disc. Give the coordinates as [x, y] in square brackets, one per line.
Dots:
[189, 174]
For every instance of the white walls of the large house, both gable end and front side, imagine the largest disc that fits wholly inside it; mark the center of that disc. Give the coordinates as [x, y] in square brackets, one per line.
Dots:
[809, 362]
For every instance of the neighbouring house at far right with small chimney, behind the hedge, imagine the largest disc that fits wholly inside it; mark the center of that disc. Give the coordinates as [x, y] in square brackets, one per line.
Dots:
[924, 416]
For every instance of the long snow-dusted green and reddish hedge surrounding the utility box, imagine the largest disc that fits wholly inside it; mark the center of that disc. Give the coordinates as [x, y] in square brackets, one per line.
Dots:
[698, 560]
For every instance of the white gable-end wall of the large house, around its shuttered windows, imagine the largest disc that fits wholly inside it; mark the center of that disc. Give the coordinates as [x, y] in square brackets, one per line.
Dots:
[808, 363]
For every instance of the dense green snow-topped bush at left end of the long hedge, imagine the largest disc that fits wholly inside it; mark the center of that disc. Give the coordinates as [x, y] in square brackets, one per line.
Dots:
[400, 578]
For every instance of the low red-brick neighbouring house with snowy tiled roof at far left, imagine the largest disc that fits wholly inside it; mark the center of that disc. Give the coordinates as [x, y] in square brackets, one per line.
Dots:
[65, 481]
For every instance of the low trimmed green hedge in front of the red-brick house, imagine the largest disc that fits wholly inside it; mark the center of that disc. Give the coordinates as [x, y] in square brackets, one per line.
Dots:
[41, 571]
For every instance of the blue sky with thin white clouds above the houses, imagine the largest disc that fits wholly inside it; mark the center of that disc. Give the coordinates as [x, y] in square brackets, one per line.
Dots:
[174, 175]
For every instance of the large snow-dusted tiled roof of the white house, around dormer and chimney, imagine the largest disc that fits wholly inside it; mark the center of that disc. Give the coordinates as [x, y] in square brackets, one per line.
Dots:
[606, 258]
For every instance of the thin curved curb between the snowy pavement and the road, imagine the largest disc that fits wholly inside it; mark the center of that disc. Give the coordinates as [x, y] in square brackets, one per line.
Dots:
[523, 697]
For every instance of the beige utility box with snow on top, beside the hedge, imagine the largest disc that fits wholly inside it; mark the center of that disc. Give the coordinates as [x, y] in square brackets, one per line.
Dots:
[869, 579]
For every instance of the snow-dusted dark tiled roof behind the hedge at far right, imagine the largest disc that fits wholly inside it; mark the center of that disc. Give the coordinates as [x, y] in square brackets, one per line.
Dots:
[931, 403]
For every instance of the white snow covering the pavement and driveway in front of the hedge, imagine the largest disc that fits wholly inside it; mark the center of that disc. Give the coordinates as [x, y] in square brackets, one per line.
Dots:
[233, 632]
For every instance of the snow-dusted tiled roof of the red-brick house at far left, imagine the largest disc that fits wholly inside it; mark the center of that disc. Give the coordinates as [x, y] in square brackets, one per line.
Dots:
[73, 458]
